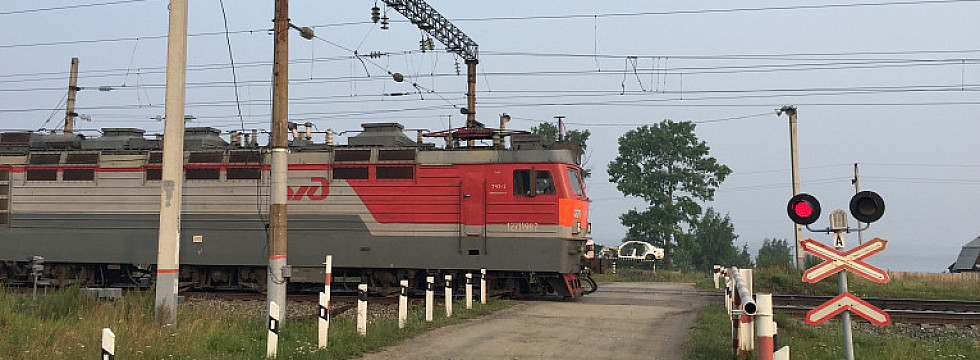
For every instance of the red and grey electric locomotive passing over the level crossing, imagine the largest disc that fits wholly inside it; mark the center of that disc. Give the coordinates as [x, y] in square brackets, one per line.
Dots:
[385, 206]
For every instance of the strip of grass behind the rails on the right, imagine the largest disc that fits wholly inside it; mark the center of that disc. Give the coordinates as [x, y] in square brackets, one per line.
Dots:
[789, 281]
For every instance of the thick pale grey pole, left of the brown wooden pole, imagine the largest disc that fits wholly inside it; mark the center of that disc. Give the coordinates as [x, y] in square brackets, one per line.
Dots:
[172, 175]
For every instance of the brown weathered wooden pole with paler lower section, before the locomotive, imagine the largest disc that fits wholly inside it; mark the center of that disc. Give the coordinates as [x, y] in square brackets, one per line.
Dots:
[276, 289]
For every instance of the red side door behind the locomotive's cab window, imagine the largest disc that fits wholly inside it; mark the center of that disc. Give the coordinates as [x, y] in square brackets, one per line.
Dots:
[473, 212]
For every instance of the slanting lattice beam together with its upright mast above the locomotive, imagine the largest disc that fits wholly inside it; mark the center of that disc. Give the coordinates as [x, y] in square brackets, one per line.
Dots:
[419, 13]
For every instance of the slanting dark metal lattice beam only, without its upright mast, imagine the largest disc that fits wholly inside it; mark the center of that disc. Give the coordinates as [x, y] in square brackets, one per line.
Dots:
[419, 13]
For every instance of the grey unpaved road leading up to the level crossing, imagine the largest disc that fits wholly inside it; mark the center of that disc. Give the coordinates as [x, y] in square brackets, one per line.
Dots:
[622, 321]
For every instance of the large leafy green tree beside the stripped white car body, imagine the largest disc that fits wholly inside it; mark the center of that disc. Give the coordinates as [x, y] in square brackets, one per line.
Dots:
[668, 167]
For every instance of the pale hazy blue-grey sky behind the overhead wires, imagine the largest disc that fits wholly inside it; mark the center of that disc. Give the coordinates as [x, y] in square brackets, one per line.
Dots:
[890, 85]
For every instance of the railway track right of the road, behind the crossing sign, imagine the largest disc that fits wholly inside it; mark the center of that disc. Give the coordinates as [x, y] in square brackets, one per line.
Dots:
[916, 311]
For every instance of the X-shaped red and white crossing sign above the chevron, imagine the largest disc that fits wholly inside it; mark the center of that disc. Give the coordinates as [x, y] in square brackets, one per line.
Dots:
[850, 260]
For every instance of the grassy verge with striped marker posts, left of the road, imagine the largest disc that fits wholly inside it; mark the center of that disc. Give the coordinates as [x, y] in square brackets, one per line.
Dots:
[67, 324]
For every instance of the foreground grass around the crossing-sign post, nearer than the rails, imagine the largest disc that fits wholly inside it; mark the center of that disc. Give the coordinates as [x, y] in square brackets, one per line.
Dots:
[711, 339]
